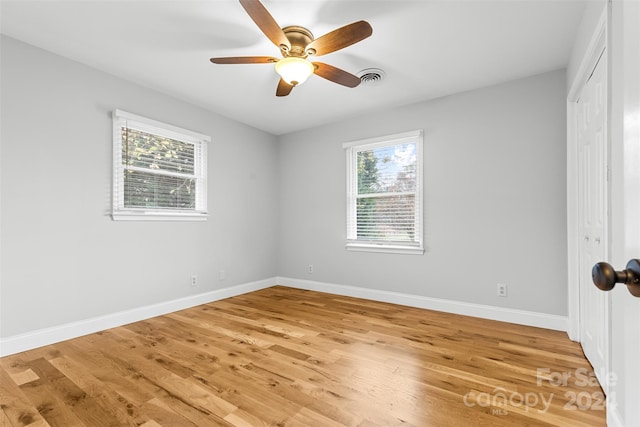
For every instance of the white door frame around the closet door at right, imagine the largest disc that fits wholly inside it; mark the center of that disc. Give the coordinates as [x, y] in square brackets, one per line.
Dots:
[598, 43]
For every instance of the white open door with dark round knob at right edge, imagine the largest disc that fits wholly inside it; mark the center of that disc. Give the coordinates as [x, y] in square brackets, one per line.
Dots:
[624, 402]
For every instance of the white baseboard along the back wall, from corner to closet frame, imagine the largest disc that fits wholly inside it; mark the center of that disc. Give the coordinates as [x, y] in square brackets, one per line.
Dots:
[528, 318]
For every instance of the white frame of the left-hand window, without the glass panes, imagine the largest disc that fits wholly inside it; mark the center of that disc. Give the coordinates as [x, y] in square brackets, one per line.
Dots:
[119, 211]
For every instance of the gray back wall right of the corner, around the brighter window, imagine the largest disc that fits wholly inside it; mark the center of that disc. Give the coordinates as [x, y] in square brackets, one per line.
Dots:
[495, 199]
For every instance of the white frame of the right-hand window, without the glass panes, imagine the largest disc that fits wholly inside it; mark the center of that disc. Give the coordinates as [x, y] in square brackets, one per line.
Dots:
[352, 148]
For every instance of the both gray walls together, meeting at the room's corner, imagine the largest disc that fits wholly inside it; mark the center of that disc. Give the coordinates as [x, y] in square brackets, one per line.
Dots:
[494, 199]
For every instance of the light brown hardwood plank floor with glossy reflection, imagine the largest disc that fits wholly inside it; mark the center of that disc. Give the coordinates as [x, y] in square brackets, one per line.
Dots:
[288, 357]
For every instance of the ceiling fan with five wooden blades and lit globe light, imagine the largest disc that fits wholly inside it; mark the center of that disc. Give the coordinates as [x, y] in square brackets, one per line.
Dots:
[296, 45]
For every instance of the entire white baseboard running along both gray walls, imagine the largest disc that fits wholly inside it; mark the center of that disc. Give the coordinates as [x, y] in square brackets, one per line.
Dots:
[30, 340]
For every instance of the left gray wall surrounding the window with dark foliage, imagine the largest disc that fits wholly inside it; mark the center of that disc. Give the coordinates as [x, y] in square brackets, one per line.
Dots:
[63, 258]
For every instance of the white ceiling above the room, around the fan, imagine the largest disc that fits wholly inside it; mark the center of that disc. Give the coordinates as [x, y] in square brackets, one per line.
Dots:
[427, 49]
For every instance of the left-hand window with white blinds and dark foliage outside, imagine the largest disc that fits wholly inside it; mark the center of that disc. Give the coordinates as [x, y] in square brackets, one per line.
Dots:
[159, 170]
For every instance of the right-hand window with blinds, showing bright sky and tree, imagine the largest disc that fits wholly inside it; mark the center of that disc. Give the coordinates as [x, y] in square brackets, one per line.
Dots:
[384, 194]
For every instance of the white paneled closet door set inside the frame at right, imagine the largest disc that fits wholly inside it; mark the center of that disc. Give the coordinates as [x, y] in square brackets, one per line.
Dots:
[592, 210]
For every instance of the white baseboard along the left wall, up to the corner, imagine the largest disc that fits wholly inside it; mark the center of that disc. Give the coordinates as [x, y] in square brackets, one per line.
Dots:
[30, 340]
